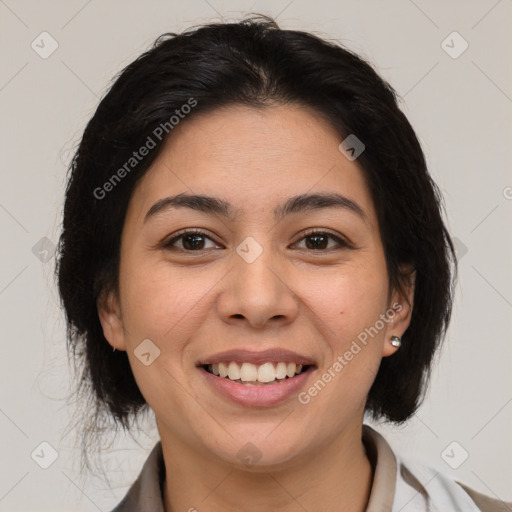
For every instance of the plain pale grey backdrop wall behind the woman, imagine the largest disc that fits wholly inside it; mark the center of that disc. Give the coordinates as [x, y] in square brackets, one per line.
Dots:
[461, 110]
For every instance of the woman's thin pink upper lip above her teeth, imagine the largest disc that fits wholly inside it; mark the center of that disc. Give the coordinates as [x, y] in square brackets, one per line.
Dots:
[274, 355]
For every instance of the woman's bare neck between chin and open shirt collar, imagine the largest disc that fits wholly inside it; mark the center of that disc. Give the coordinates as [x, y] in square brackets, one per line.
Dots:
[339, 477]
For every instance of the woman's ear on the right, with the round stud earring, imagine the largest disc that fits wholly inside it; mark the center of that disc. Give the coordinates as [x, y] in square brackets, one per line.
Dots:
[400, 310]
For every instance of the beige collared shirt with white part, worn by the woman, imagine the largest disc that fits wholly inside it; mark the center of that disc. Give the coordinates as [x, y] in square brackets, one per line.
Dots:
[397, 486]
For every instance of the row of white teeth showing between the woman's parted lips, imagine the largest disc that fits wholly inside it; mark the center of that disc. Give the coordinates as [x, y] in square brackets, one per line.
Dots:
[256, 375]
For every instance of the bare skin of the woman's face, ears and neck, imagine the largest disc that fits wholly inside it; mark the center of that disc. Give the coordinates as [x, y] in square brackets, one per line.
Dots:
[293, 296]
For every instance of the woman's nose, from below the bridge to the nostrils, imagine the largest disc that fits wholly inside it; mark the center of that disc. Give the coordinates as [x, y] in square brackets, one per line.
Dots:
[258, 293]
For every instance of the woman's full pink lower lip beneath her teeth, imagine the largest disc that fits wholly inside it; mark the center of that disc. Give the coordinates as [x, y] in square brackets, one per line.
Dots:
[257, 395]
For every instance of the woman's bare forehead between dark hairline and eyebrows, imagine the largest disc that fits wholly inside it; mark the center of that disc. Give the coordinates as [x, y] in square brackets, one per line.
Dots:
[253, 158]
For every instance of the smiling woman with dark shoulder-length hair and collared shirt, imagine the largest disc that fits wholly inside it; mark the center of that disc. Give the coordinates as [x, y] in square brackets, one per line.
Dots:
[253, 248]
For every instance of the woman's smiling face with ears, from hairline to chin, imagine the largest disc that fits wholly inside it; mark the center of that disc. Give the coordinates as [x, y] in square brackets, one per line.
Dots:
[268, 279]
